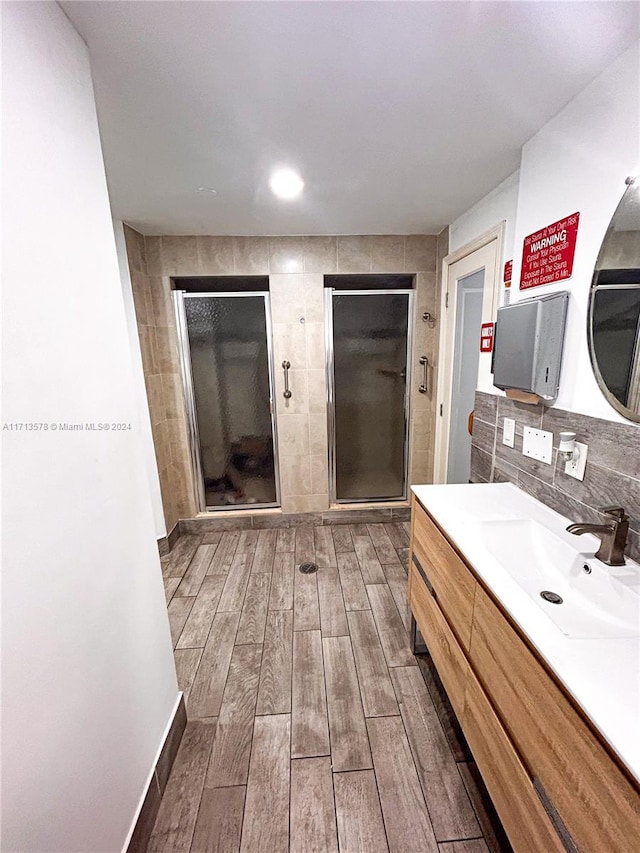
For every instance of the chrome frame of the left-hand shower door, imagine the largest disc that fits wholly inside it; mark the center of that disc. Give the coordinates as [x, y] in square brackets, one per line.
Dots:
[184, 350]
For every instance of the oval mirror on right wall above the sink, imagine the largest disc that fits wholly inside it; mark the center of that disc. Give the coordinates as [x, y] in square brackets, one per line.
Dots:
[614, 308]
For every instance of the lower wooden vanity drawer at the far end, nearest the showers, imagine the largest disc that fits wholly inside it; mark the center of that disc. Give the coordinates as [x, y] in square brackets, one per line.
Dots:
[443, 647]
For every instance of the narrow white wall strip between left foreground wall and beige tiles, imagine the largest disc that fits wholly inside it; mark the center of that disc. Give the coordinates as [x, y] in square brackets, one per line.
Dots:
[145, 435]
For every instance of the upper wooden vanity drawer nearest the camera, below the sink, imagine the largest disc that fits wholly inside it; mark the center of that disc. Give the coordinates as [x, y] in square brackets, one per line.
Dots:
[595, 799]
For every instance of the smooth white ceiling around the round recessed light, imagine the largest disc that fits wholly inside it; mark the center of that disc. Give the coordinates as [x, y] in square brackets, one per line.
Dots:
[398, 115]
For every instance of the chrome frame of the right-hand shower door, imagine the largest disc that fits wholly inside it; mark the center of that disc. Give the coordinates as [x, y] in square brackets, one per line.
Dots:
[329, 293]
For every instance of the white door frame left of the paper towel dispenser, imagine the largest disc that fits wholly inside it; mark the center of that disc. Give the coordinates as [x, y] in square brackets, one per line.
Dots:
[489, 246]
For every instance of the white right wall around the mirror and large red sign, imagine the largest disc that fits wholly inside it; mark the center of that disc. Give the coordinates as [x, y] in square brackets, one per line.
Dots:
[577, 162]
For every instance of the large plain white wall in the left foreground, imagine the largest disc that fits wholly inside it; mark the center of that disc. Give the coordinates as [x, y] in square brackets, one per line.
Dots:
[88, 676]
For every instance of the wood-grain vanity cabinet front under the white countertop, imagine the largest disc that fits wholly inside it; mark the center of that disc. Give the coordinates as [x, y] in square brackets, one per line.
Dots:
[554, 783]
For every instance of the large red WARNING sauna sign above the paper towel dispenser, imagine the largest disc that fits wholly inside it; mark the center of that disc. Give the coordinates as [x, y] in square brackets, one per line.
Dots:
[547, 255]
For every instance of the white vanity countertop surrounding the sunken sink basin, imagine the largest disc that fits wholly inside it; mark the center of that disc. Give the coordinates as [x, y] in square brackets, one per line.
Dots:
[602, 675]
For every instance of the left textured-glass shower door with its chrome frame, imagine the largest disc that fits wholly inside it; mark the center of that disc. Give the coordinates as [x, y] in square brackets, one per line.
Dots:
[227, 371]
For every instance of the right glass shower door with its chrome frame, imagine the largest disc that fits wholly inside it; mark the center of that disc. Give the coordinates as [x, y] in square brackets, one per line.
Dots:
[368, 365]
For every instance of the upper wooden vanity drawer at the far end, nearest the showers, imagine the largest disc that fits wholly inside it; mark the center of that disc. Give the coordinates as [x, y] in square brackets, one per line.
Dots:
[452, 580]
